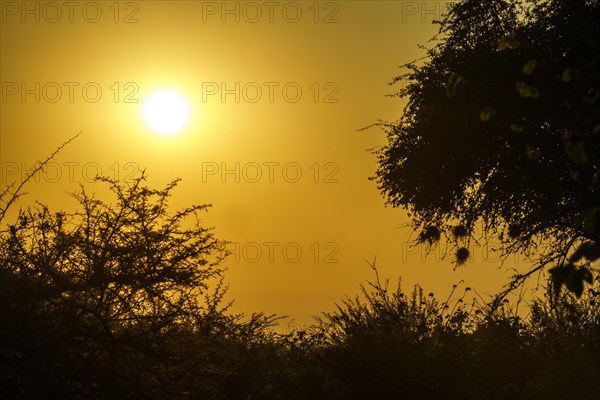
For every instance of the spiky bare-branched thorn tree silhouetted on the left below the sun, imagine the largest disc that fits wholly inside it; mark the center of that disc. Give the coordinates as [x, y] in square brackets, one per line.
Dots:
[119, 300]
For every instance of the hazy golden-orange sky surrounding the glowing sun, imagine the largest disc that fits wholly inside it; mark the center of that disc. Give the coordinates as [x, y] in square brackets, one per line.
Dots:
[277, 92]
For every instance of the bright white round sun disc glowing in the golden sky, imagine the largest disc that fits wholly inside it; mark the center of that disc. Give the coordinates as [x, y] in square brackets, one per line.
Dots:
[166, 112]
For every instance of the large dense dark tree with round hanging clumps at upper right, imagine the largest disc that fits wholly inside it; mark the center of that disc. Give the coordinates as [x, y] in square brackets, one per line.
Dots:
[502, 126]
